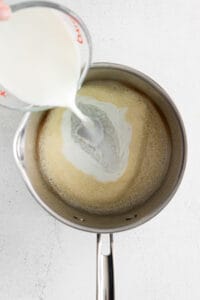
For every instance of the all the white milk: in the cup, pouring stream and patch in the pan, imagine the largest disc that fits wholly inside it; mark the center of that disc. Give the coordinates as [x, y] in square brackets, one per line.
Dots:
[40, 64]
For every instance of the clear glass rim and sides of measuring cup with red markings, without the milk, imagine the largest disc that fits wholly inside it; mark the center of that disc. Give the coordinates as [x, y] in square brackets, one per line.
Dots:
[80, 34]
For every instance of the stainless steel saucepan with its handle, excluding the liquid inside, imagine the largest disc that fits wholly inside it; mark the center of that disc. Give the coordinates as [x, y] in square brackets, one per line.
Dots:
[104, 226]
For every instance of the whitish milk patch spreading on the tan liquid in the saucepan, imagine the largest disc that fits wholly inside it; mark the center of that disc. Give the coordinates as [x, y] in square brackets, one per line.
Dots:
[107, 159]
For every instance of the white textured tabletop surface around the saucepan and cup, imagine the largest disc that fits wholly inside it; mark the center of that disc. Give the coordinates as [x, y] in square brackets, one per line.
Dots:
[42, 259]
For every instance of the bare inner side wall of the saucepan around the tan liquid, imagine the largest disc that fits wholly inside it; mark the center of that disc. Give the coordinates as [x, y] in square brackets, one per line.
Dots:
[119, 219]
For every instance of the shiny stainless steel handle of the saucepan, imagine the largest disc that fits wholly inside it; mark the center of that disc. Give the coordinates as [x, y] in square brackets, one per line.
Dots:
[105, 271]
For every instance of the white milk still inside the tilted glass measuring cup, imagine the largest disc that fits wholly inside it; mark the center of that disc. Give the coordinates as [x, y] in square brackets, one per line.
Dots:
[39, 59]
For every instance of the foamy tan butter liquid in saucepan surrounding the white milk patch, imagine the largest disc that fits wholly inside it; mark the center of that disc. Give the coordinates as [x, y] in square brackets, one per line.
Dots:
[149, 152]
